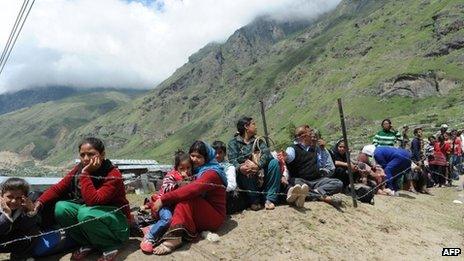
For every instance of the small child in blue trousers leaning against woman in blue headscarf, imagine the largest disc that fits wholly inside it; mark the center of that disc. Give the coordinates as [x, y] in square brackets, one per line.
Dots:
[182, 170]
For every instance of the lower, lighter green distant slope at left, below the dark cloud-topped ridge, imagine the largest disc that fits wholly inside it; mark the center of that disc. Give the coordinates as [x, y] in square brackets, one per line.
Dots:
[38, 129]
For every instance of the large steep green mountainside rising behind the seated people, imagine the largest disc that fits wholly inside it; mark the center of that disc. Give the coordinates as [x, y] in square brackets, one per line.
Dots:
[397, 59]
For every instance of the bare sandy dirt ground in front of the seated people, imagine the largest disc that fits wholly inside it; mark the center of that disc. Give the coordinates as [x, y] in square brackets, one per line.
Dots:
[409, 227]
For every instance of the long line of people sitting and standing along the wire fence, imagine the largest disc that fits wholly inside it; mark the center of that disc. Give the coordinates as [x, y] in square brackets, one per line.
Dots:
[204, 187]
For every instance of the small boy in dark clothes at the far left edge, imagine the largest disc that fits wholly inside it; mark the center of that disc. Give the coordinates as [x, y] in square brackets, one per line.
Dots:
[17, 218]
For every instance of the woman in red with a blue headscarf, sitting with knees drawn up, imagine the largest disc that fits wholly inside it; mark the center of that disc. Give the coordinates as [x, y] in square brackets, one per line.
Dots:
[200, 205]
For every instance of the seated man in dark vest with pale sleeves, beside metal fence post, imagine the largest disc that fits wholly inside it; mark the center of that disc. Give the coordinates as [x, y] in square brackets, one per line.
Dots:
[307, 174]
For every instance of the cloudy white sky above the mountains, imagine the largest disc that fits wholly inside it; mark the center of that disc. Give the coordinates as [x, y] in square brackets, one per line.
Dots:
[123, 43]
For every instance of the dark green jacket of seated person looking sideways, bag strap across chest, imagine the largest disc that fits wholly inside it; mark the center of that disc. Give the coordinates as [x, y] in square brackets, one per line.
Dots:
[238, 152]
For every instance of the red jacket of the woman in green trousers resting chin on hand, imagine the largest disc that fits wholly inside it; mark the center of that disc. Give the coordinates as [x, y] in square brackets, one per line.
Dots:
[111, 192]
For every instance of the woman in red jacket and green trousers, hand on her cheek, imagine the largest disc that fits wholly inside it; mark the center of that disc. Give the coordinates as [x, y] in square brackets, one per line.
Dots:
[93, 189]
